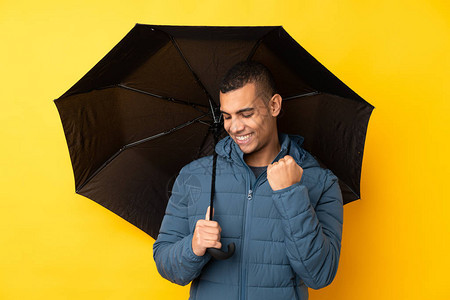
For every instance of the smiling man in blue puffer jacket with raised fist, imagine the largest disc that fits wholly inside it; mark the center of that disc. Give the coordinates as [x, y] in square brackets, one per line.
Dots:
[286, 221]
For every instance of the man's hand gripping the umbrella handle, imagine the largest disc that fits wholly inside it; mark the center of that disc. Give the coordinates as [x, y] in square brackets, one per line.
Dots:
[206, 235]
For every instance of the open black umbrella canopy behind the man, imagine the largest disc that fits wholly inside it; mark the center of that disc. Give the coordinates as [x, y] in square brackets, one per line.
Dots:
[145, 110]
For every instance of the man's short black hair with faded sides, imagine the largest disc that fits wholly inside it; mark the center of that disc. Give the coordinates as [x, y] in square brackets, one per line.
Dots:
[249, 71]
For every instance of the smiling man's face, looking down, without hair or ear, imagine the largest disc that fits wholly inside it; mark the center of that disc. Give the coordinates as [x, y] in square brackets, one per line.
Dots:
[247, 118]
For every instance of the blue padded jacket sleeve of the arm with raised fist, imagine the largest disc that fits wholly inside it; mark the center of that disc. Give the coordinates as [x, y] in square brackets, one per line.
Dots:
[312, 234]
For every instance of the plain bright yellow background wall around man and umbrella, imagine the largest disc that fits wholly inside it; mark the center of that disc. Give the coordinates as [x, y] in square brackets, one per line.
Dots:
[55, 244]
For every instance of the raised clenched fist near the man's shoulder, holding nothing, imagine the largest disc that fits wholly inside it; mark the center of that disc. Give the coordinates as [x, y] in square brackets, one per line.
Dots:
[284, 173]
